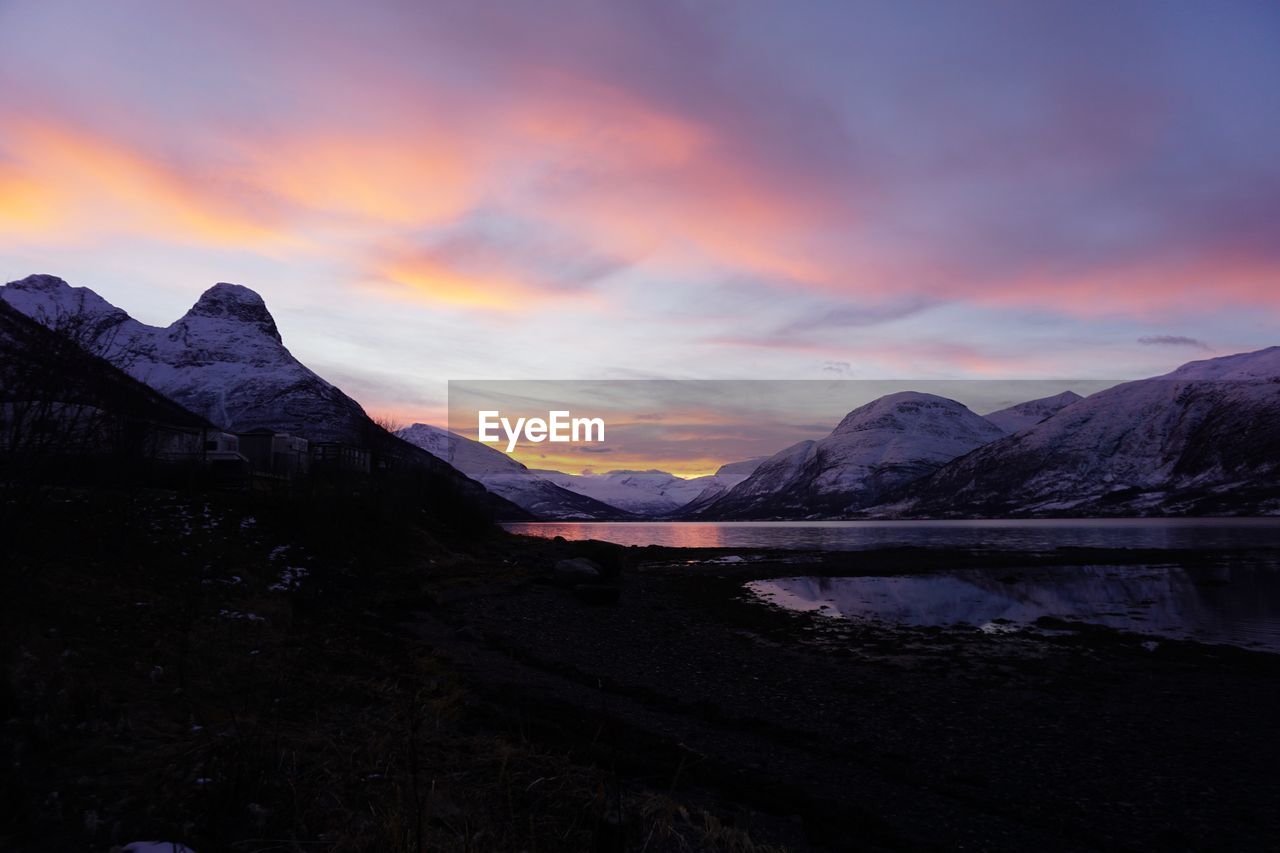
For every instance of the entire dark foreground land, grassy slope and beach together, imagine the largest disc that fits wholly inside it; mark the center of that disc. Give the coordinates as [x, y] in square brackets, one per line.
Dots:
[244, 674]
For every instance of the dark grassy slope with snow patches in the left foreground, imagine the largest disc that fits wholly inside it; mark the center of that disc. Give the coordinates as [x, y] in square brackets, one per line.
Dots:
[170, 673]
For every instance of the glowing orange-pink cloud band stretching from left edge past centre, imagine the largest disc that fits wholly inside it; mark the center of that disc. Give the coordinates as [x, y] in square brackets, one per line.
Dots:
[624, 175]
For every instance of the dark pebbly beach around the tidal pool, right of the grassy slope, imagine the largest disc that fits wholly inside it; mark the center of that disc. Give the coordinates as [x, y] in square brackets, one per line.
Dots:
[868, 738]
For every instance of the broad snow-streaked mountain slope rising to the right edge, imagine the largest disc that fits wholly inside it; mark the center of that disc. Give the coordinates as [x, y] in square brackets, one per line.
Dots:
[1204, 439]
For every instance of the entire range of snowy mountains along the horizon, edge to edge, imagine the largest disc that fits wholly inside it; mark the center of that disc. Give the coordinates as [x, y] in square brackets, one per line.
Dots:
[1201, 440]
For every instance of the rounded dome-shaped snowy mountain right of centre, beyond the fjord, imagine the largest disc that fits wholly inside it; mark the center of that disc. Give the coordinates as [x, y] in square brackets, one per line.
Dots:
[876, 448]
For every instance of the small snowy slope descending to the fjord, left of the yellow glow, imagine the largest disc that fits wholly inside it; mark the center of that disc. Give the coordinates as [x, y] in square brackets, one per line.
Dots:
[506, 477]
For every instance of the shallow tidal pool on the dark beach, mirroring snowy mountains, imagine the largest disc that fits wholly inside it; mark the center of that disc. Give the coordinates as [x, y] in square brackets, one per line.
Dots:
[1238, 605]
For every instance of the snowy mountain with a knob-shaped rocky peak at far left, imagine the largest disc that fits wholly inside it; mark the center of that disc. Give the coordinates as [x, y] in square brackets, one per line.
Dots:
[223, 359]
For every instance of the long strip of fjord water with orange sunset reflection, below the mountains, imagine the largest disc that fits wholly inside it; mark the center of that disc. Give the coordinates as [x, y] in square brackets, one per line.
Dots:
[854, 536]
